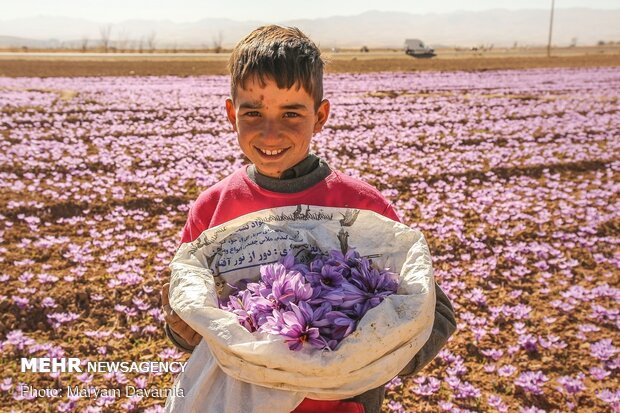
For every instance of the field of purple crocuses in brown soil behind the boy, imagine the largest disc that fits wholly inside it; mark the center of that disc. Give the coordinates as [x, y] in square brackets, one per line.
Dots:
[511, 175]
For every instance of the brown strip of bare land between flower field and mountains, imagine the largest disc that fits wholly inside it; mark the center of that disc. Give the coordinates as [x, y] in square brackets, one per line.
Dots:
[50, 64]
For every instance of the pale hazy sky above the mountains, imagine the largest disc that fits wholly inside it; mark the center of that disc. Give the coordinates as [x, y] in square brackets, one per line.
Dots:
[263, 10]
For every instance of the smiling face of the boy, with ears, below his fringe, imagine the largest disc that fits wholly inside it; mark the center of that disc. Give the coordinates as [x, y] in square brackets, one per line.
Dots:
[274, 126]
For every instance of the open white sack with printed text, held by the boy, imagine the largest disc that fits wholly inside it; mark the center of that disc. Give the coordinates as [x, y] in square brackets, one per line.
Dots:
[233, 370]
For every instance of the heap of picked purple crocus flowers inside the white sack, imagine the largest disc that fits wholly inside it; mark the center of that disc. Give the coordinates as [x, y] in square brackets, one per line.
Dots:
[319, 303]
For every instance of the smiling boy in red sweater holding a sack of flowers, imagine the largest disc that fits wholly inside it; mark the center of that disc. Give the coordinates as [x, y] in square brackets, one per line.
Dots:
[276, 106]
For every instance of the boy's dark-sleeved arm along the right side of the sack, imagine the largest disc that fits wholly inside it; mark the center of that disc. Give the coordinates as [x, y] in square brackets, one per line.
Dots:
[443, 327]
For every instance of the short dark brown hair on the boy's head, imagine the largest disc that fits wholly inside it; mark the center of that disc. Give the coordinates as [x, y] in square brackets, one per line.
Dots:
[283, 54]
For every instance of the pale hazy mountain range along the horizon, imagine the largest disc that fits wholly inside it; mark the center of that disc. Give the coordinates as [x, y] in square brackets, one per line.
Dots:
[373, 28]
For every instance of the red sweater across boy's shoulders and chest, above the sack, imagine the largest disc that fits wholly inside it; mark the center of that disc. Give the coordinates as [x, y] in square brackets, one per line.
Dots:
[237, 195]
